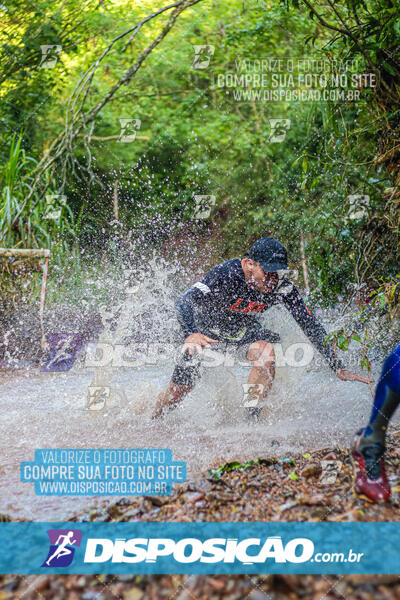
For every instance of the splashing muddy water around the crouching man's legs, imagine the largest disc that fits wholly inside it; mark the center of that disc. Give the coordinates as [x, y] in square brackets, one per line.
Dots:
[131, 362]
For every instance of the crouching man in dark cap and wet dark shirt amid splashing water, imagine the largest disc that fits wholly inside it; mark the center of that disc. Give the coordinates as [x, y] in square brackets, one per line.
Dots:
[222, 310]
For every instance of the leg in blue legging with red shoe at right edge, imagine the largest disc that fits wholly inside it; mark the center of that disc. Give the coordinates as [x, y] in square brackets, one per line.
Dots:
[369, 443]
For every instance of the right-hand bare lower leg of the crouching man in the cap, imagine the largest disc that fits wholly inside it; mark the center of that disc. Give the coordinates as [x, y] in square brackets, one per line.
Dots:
[262, 356]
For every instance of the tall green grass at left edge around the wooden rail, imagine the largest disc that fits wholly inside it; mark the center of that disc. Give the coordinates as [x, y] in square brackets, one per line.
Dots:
[38, 226]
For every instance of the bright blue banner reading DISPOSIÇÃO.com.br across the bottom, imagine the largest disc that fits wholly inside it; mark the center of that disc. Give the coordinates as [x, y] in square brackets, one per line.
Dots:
[214, 548]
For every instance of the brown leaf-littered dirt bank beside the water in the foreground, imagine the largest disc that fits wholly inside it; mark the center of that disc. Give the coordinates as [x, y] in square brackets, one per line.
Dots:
[264, 491]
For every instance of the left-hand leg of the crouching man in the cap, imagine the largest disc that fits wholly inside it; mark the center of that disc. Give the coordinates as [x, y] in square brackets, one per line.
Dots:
[183, 379]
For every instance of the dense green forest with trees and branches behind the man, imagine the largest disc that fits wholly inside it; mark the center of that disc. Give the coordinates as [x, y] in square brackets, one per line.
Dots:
[62, 160]
